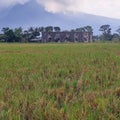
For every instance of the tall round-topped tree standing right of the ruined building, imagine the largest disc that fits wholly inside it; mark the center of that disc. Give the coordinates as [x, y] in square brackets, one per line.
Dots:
[106, 32]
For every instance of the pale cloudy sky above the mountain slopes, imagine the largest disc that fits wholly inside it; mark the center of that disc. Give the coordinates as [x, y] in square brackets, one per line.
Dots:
[108, 8]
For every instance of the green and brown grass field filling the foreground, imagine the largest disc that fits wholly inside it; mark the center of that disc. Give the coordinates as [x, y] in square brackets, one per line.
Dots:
[60, 81]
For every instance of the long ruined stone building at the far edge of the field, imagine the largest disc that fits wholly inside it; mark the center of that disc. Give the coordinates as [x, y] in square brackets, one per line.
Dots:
[66, 37]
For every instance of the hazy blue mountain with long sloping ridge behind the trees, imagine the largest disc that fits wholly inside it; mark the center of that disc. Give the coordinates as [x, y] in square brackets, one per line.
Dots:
[32, 14]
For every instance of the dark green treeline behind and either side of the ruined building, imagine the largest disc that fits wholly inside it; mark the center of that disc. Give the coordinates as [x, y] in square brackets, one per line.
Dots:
[20, 35]
